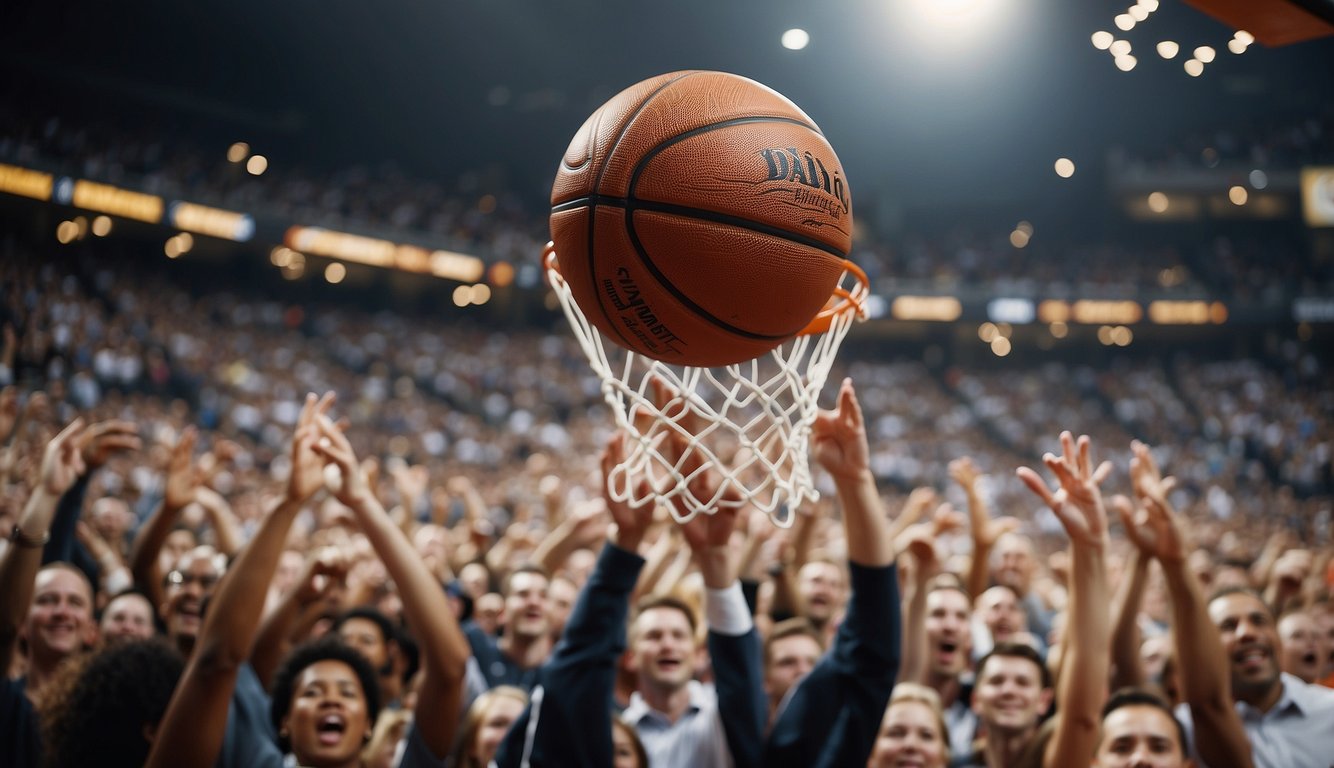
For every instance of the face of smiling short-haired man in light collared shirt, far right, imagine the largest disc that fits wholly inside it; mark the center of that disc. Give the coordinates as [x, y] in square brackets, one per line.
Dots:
[1252, 645]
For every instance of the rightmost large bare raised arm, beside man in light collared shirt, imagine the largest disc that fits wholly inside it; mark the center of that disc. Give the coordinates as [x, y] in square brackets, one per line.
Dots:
[1156, 531]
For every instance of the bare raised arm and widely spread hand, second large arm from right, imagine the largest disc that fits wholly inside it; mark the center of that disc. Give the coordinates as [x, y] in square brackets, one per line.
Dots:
[1083, 689]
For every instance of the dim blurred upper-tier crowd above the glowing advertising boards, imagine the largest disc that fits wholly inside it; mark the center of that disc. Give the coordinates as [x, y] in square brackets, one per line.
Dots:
[480, 214]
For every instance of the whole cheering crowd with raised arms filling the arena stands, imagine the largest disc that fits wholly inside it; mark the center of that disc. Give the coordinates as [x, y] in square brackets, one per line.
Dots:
[207, 562]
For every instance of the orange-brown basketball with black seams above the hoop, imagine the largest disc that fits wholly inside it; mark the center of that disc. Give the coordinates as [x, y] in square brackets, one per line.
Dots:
[701, 219]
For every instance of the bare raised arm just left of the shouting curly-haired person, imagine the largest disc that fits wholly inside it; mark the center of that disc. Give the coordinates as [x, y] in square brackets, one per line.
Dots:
[193, 729]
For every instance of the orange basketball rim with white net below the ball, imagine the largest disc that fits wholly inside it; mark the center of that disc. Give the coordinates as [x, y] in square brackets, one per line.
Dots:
[750, 423]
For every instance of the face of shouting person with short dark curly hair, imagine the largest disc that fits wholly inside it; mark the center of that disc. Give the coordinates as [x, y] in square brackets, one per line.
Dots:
[329, 721]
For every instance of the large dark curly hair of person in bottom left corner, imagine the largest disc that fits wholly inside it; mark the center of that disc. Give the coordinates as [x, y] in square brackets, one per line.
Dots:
[99, 714]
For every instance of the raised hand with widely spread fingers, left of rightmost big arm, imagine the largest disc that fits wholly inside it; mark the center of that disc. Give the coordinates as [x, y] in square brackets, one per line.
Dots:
[1077, 502]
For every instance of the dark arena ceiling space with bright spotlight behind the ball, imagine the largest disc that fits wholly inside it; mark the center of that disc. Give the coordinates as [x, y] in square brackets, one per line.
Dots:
[924, 119]
